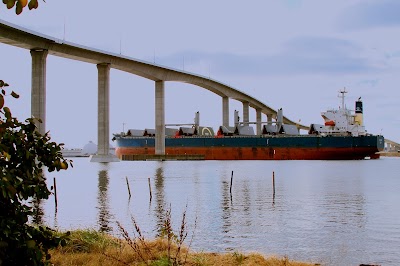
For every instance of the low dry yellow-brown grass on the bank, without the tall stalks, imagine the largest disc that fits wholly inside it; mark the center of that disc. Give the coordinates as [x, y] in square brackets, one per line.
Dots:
[88, 247]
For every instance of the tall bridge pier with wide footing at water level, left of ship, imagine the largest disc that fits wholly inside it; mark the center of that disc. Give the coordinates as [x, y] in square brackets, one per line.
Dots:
[103, 117]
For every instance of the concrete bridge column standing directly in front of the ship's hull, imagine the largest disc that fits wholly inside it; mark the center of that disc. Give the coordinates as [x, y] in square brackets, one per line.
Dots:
[160, 118]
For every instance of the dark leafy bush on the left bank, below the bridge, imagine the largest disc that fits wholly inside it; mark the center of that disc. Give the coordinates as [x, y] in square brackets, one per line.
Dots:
[24, 155]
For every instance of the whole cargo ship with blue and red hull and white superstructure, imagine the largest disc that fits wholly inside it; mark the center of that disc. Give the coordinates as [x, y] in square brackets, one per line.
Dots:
[342, 136]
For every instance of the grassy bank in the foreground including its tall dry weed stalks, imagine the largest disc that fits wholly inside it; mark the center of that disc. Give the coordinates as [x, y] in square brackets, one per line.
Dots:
[89, 247]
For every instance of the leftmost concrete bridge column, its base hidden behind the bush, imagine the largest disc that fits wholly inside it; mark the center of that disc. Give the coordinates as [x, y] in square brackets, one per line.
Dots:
[38, 93]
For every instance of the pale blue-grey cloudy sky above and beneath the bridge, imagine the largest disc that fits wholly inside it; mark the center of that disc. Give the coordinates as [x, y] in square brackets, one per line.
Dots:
[289, 54]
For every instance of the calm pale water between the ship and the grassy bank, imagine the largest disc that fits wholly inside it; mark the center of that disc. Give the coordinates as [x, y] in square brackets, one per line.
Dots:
[332, 212]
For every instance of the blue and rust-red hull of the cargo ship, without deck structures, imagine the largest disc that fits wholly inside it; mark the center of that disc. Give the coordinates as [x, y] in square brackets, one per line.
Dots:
[259, 148]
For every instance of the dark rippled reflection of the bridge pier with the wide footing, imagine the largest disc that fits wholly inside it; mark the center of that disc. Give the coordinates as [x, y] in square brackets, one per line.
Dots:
[104, 215]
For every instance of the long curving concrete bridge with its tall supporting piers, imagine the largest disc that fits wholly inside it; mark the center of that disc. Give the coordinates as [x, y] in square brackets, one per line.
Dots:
[41, 45]
